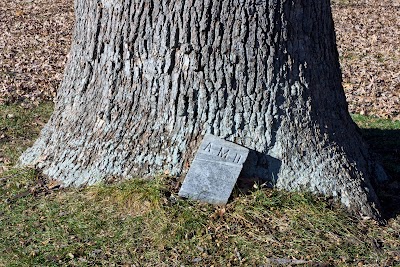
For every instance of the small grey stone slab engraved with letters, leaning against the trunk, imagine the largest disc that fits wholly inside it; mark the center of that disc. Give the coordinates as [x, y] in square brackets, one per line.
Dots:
[214, 171]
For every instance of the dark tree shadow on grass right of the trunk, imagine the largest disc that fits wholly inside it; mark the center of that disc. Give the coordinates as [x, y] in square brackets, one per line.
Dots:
[386, 145]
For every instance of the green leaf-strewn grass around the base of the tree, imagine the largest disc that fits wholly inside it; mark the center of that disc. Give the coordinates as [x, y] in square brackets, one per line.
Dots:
[138, 222]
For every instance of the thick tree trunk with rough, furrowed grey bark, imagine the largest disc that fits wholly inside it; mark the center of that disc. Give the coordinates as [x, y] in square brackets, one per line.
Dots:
[146, 79]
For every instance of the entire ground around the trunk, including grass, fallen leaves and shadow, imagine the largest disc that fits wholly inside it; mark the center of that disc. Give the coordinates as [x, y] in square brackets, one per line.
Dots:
[136, 222]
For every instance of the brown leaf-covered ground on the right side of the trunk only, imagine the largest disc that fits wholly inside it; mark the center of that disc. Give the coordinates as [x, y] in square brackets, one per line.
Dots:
[368, 38]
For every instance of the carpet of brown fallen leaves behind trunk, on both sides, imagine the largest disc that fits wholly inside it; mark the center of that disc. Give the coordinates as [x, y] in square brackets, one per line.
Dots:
[35, 39]
